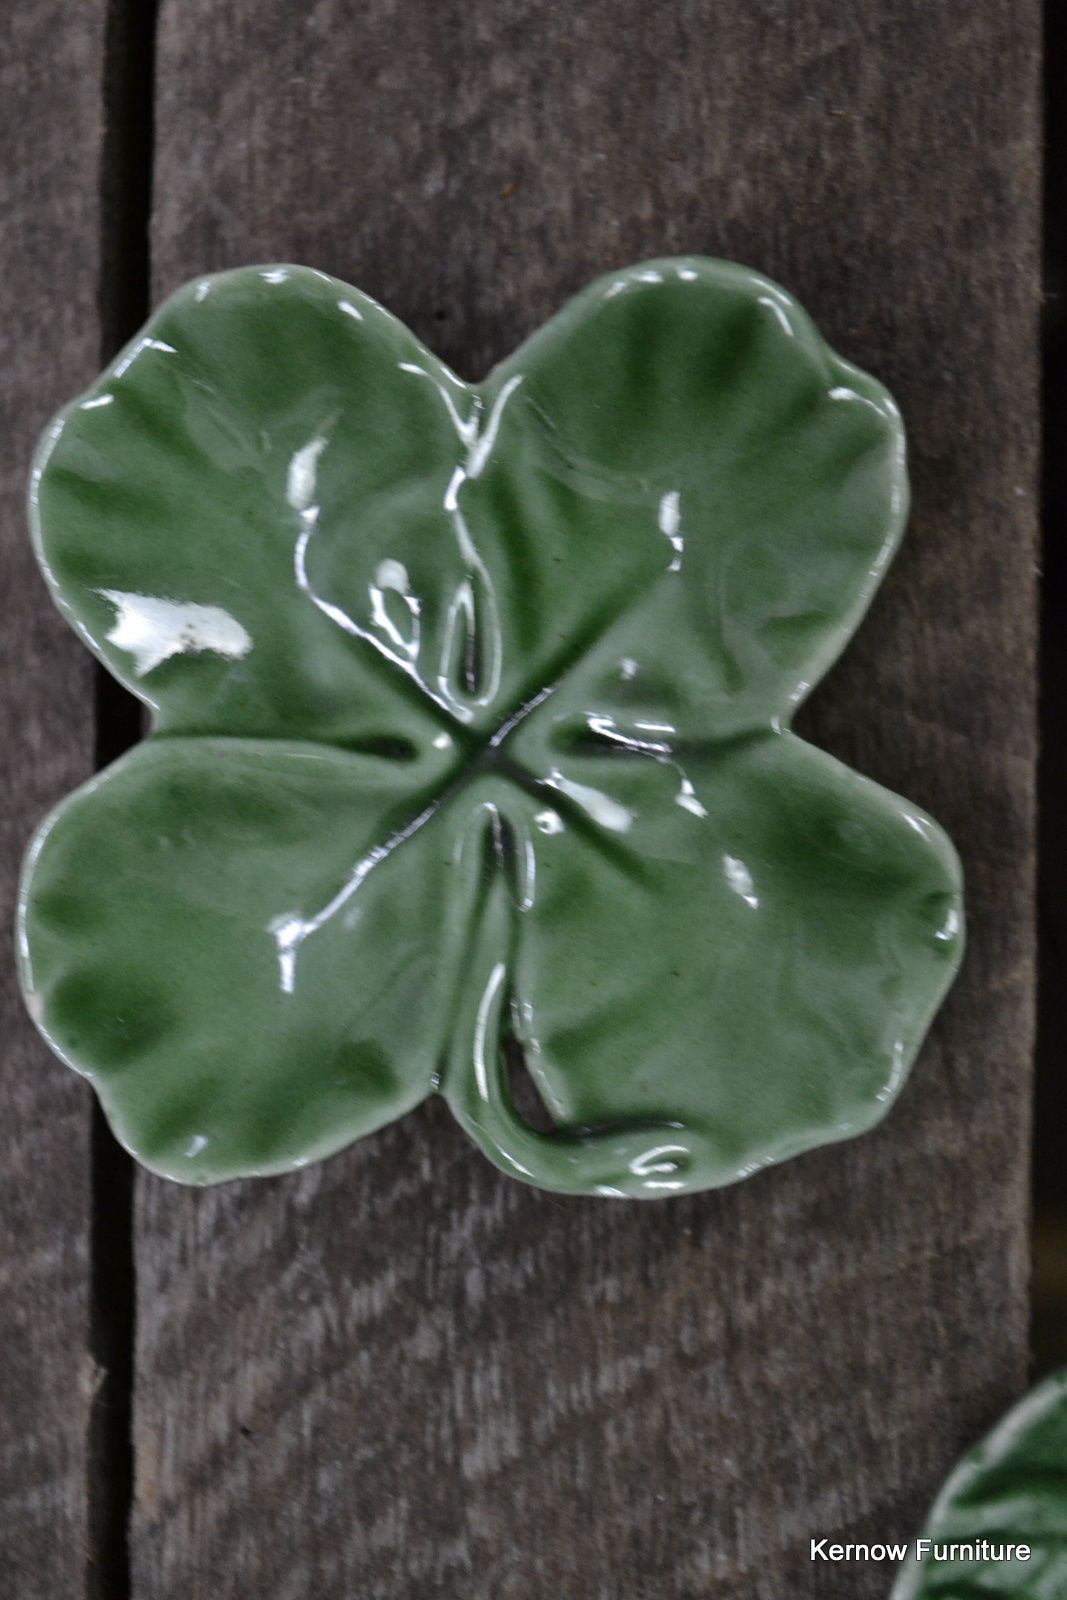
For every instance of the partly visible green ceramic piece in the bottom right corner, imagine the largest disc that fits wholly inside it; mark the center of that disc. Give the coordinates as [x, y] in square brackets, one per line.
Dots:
[1009, 1490]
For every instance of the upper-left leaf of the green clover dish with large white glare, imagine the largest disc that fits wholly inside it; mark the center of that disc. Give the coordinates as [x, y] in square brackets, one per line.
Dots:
[194, 508]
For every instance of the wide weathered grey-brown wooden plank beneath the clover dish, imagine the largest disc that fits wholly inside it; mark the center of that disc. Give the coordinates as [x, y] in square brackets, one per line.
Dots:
[401, 1375]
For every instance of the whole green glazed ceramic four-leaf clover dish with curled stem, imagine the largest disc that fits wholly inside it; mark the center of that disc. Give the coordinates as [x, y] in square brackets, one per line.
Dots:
[471, 738]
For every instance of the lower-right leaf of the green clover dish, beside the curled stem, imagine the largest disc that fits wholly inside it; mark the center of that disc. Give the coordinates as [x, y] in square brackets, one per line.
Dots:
[741, 945]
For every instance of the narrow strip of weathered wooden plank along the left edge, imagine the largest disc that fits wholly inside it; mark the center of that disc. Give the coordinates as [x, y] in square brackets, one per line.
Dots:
[52, 140]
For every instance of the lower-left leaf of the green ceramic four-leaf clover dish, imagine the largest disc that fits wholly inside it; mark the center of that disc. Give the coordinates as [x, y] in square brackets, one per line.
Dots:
[178, 897]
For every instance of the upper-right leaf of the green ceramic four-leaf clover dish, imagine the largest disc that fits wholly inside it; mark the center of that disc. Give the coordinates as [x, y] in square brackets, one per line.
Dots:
[697, 410]
